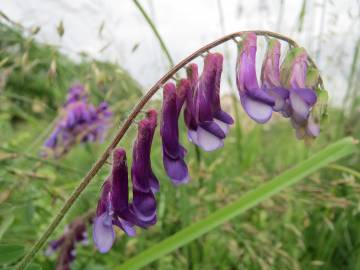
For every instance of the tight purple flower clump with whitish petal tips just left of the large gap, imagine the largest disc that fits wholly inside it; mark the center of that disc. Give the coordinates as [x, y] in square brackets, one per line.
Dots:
[208, 124]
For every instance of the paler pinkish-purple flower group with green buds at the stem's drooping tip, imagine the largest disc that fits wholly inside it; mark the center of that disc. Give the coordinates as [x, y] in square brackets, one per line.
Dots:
[288, 88]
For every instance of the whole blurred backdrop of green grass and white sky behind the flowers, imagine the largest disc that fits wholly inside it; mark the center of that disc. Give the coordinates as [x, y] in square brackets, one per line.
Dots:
[109, 47]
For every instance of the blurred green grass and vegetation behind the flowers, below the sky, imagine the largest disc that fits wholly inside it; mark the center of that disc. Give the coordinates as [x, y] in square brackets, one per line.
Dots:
[312, 225]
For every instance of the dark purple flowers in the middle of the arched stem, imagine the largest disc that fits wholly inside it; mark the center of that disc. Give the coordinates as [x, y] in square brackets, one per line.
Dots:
[207, 123]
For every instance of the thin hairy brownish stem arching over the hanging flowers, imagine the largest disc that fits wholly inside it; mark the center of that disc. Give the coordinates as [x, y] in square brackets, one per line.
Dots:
[129, 120]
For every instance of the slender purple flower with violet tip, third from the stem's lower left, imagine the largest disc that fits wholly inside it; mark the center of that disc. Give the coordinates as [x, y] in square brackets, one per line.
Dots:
[173, 151]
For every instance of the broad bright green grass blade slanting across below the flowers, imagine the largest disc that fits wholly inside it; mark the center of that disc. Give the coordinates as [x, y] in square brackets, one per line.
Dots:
[254, 197]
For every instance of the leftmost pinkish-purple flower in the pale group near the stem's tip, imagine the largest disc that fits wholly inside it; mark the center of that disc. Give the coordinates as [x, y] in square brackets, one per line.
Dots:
[255, 100]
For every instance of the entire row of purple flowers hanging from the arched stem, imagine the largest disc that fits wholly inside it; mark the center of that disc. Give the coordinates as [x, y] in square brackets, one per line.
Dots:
[288, 89]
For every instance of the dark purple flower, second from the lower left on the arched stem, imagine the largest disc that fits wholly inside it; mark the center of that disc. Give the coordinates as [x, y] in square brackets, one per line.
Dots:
[143, 178]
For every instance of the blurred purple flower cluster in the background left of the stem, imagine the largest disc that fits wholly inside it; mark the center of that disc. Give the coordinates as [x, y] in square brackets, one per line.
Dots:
[78, 121]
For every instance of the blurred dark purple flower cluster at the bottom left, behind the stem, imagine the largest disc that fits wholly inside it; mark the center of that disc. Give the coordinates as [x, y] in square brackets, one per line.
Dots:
[75, 233]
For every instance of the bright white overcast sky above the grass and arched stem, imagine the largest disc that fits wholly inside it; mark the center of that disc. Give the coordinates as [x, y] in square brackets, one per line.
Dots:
[329, 32]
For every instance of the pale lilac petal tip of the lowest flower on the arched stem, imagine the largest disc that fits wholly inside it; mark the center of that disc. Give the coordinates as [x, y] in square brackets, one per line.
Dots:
[103, 232]
